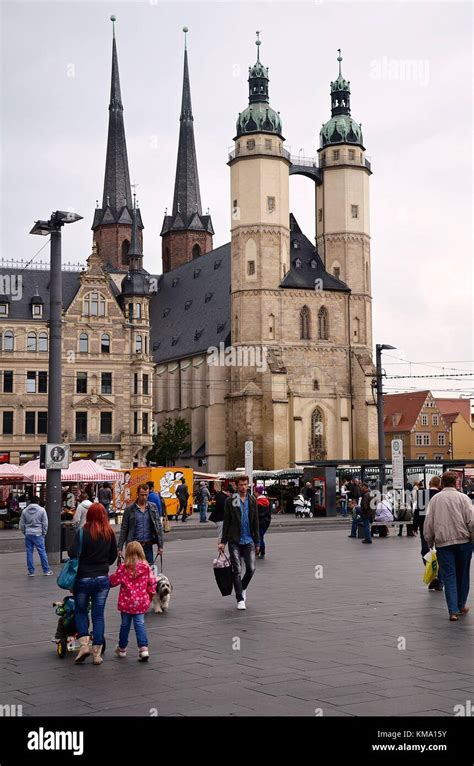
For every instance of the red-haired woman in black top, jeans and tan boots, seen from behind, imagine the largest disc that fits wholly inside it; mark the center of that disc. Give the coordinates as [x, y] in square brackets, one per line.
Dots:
[97, 553]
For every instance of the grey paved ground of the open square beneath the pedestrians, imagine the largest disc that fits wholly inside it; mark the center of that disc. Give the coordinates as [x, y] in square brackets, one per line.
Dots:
[332, 627]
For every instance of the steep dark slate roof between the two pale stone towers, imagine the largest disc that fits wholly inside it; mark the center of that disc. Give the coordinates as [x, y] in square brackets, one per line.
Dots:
[311, 268]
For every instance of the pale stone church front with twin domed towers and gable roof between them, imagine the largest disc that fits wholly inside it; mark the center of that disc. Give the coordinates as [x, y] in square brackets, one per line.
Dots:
[300, 388]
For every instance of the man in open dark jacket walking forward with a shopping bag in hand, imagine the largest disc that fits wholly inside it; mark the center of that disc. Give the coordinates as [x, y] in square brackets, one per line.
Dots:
[241, 533]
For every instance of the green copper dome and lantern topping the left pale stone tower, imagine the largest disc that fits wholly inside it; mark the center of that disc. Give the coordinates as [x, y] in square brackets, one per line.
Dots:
[258, 117]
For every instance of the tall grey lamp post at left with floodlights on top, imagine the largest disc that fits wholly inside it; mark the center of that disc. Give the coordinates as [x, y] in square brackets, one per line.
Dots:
[53, 476]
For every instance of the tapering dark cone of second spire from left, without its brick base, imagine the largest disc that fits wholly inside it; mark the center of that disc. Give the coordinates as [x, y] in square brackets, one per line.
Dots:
[187, 197]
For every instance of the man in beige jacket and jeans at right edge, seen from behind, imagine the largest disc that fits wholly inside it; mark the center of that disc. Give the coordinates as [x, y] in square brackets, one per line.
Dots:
[449, 525]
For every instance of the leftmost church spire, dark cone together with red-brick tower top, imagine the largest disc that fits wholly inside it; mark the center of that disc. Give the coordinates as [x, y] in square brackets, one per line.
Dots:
[112, 224]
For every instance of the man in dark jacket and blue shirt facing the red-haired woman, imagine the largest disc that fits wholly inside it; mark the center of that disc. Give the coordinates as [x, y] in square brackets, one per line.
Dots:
[141, 522]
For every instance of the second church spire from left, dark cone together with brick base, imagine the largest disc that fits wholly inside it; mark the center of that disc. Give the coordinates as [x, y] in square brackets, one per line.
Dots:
[187, 233]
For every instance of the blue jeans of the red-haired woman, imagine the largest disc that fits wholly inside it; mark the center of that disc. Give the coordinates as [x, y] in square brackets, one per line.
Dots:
[97, 589]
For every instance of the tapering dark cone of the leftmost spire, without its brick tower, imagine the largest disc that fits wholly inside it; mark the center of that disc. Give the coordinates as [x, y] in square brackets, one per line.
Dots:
[117, 192]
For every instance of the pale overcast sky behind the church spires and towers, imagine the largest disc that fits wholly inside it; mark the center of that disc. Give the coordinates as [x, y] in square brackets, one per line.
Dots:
[410, 67]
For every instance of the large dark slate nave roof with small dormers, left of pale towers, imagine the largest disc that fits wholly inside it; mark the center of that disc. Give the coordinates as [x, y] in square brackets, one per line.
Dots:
[191, 310]
